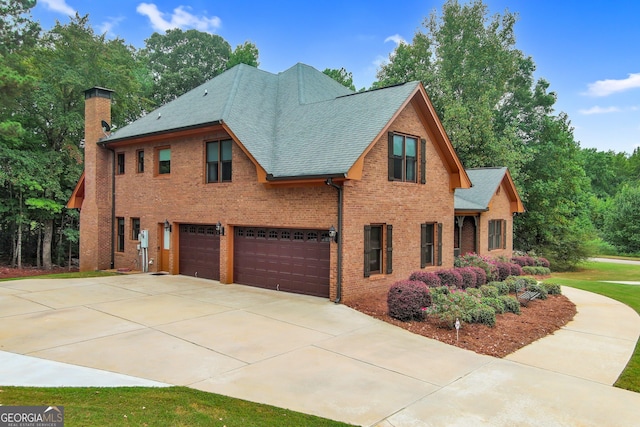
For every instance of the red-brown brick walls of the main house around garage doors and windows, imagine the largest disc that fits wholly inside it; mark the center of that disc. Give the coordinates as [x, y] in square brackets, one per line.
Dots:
[185, 197]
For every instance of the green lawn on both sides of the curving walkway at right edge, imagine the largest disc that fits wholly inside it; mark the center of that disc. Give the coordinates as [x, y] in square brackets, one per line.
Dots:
[590, 277]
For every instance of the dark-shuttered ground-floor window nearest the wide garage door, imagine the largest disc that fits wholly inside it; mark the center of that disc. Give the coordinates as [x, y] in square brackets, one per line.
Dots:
[378, 249]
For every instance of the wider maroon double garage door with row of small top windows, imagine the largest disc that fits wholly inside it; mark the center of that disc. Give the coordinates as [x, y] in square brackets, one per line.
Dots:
[288, 260]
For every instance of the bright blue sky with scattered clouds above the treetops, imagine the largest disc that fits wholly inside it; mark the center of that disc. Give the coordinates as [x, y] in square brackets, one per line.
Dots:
[588, 50]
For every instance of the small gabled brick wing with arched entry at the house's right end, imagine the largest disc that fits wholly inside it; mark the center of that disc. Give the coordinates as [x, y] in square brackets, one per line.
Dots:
[484, 213]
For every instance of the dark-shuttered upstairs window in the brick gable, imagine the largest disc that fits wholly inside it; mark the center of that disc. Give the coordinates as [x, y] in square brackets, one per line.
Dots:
[403, 158]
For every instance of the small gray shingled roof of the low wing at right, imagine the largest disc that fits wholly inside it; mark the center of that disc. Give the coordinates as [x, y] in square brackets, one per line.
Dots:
[485, 182]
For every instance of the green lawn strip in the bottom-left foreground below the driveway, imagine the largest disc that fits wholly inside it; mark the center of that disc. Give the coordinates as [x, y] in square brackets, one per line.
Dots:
[141, 406]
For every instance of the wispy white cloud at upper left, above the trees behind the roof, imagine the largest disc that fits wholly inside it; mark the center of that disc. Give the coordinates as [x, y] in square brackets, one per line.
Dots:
[180, 18]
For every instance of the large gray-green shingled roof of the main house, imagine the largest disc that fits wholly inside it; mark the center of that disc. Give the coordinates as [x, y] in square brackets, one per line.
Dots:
[296, 123]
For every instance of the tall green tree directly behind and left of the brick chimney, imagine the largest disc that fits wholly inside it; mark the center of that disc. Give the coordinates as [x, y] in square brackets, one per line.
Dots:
[71, 58]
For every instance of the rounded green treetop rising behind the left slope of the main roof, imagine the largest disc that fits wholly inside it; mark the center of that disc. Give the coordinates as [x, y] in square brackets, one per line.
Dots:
[182, 60]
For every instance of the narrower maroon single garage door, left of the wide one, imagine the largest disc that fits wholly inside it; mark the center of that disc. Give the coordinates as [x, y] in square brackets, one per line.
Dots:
[200, 251]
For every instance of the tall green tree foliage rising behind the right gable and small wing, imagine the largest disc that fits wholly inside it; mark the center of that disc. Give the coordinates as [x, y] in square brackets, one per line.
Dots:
[496, 114]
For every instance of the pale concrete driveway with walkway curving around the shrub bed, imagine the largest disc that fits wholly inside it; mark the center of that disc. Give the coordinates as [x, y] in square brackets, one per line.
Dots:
[310, 355]
